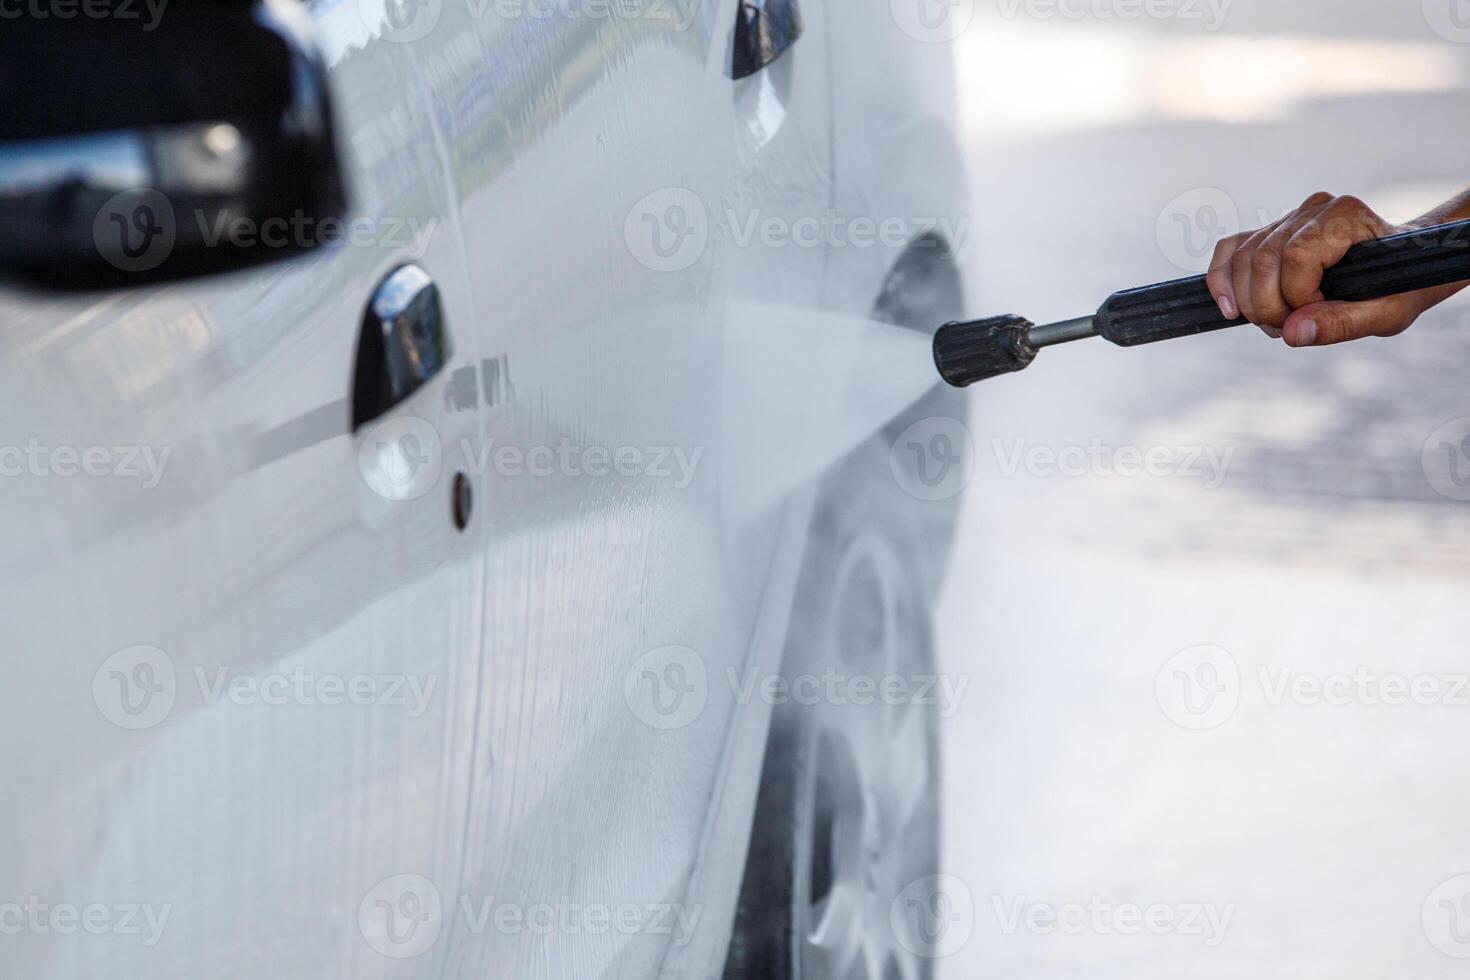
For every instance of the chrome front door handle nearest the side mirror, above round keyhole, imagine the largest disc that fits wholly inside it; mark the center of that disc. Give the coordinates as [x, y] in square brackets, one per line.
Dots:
[404, 345]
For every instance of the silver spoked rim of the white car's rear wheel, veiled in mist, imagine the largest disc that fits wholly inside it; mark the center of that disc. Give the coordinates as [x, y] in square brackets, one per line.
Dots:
[868, 821]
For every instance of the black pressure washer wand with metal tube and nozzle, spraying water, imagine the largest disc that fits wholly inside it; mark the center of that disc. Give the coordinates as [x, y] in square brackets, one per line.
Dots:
[967, 353]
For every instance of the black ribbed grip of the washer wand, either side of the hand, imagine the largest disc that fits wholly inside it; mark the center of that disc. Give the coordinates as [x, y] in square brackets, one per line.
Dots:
[1372, 270]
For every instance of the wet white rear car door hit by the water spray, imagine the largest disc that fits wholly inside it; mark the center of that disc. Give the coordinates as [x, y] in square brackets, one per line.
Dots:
[608, 170]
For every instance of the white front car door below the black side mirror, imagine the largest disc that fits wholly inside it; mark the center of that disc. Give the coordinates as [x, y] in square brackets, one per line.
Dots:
[243, 638]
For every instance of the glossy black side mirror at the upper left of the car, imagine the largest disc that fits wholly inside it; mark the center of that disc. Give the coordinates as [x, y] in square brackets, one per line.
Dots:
[129, 155]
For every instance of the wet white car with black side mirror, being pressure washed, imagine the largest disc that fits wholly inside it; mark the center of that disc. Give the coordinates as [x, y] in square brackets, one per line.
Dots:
[452, 597]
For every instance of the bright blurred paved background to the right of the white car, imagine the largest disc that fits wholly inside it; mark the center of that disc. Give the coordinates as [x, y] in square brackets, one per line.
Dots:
[1143, 640]
